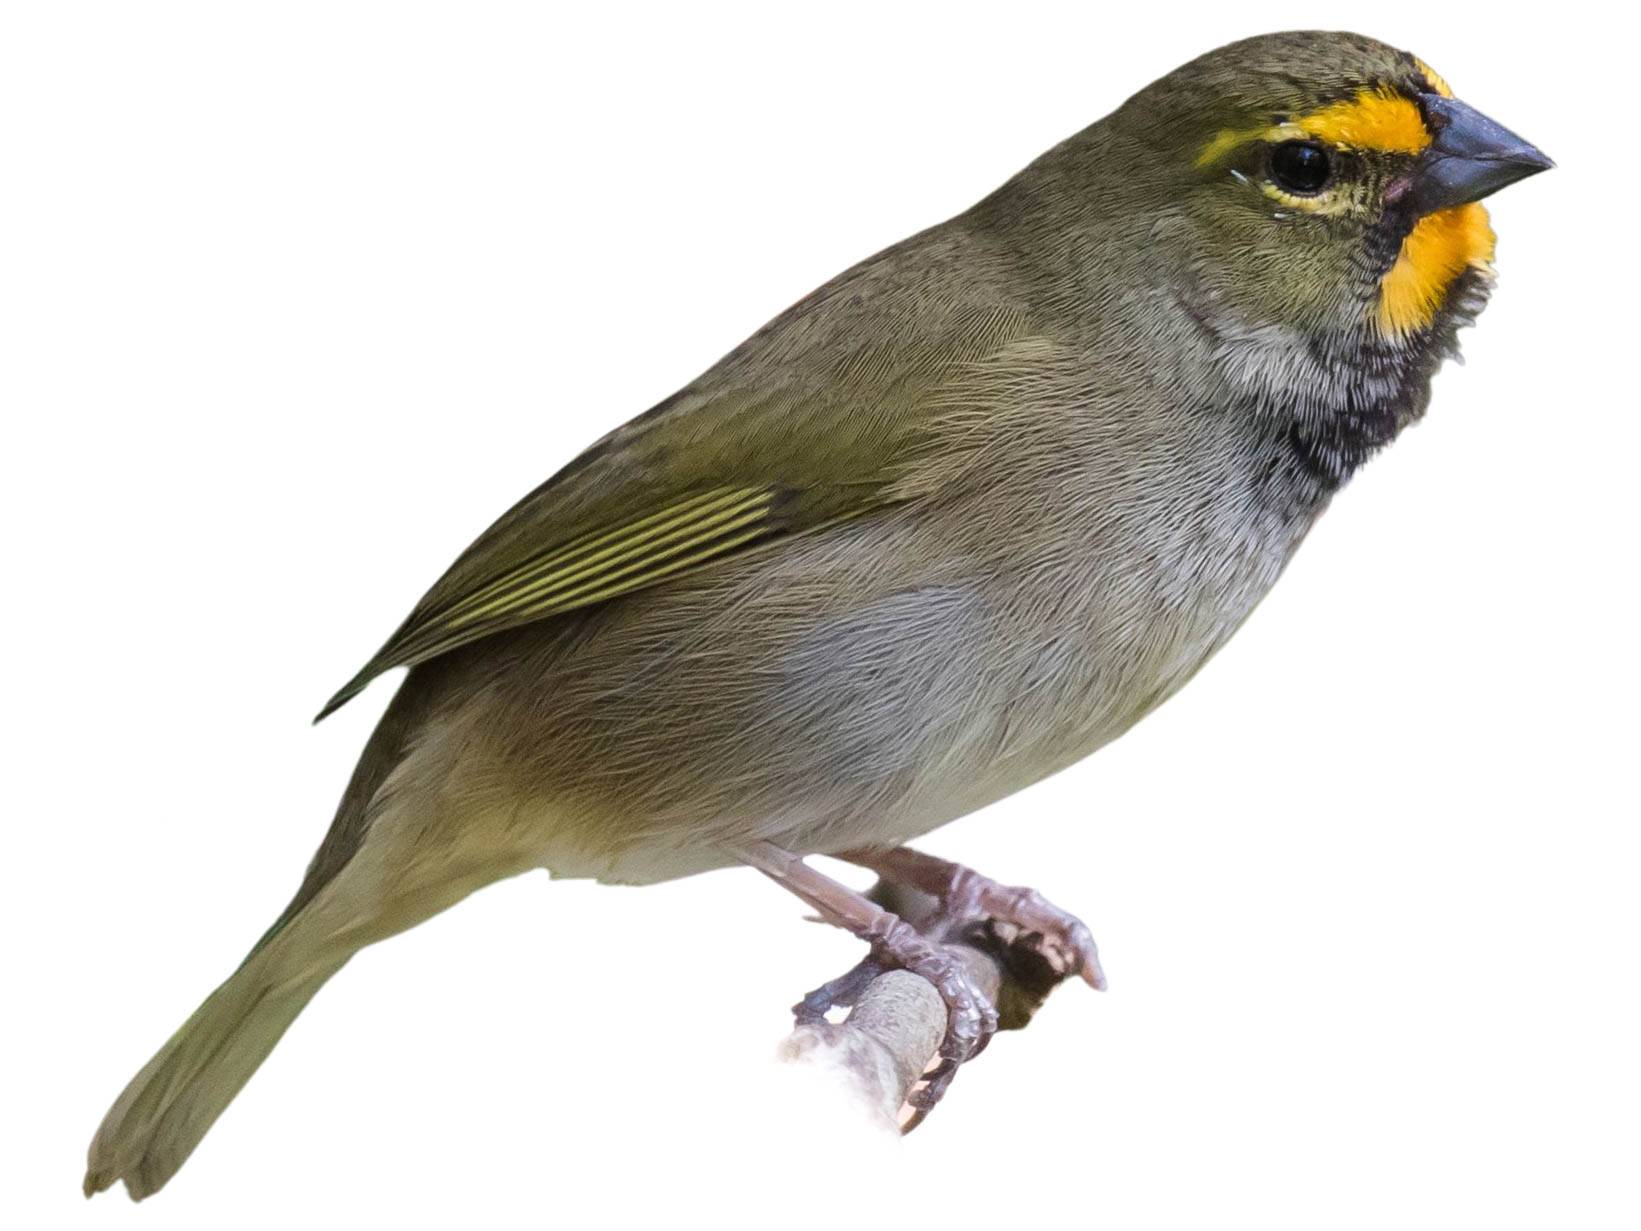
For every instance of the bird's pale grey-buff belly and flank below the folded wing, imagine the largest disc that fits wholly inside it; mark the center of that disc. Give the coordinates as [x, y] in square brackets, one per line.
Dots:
[805, 702]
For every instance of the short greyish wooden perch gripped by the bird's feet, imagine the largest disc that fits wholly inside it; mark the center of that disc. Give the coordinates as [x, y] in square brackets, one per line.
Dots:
[887, 1043]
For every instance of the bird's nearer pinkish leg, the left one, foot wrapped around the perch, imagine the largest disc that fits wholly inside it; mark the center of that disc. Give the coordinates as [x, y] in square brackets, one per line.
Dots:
[895, 945]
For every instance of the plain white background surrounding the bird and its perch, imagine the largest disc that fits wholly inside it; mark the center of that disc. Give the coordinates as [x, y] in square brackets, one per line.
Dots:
[298, 298]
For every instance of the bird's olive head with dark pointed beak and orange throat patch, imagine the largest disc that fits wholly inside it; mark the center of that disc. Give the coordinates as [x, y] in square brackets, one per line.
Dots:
[1332, 183]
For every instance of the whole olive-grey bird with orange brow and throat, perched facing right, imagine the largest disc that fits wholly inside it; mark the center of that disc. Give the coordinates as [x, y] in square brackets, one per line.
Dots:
[941, 529]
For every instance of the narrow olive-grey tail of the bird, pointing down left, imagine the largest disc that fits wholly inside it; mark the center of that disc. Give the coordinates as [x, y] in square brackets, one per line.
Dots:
[168, 1107]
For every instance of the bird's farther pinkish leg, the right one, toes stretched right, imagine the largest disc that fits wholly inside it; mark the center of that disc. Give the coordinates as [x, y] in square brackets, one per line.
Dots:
[966, 897]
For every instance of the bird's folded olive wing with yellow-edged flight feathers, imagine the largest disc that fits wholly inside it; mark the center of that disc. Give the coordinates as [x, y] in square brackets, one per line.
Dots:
[766, 446]
